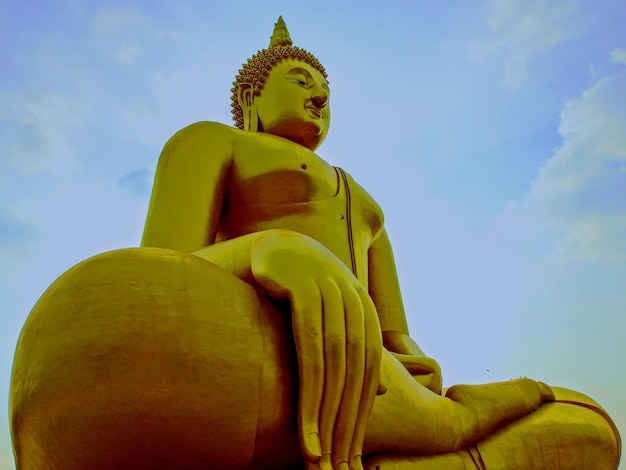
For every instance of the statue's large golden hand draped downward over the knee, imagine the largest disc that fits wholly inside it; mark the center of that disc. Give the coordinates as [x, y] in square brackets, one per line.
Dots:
[338, 341]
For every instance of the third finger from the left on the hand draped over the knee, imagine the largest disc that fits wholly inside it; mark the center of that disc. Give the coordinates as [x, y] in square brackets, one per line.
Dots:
[355, 372]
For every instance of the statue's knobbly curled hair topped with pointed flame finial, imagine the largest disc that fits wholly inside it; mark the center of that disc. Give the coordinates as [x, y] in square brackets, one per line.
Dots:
[255, 70]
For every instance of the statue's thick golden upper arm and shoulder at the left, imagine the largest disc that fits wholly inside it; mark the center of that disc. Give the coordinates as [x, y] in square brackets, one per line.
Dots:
[189, 188]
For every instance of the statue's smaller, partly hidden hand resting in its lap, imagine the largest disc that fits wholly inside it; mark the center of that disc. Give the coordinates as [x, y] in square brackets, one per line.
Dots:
[424, 369]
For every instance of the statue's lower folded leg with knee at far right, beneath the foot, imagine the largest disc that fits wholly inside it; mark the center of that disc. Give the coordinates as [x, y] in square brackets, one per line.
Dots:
[571, 433]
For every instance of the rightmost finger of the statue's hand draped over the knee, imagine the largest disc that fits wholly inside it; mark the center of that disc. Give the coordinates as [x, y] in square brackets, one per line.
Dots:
[373, 358]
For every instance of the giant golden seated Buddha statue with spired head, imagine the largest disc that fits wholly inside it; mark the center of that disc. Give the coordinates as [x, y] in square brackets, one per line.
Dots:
[261, 324]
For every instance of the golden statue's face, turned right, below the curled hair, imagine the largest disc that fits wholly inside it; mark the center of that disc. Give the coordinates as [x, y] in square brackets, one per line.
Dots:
[294, 103]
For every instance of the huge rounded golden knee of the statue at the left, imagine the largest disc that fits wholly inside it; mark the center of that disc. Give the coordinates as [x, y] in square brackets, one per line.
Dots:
[151, 359]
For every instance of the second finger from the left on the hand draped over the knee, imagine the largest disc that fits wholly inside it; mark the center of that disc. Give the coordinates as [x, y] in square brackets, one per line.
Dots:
[334, 363]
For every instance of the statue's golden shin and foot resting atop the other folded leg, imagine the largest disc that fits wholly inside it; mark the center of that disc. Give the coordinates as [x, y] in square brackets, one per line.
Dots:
[411, 418]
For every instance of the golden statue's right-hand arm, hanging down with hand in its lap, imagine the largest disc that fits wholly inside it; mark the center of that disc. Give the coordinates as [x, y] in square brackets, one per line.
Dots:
[384, 289]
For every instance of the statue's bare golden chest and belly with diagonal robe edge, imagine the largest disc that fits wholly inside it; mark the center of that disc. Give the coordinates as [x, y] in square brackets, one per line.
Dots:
[274, 183]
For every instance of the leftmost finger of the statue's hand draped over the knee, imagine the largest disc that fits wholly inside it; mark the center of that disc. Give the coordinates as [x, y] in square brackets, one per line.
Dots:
[306, 305]
